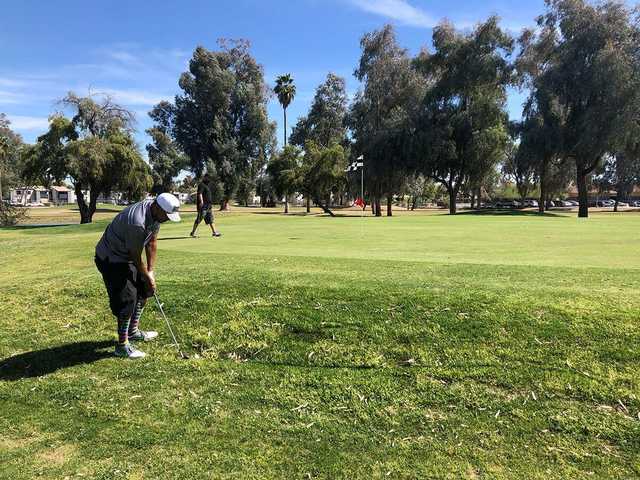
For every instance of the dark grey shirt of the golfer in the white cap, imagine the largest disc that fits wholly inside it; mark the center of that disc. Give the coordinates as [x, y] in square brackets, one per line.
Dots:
[129, 231]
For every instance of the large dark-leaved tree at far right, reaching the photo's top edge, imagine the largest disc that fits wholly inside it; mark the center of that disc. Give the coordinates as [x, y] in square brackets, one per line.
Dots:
[583, 62]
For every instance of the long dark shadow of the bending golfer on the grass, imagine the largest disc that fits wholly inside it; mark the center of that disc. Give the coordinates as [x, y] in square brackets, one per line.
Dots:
[43, 362]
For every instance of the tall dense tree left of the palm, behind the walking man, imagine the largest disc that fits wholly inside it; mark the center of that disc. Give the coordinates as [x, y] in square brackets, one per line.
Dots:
[220, 117]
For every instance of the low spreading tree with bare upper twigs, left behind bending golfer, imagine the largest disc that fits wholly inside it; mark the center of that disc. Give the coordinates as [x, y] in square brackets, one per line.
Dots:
[95, 150]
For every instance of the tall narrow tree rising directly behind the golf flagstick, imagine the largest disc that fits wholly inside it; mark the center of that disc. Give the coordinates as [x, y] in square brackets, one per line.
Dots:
[379, 115]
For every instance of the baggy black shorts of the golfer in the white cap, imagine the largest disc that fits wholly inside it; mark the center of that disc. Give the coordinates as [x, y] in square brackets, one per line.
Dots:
[124, 285]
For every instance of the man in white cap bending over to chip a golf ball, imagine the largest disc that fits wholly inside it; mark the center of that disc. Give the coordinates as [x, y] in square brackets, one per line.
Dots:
[128, 280]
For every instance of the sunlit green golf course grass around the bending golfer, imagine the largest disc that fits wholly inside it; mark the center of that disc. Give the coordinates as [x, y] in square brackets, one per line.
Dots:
[418, 346]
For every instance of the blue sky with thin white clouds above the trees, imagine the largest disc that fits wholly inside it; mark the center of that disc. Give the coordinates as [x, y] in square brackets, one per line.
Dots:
[135, 50]
